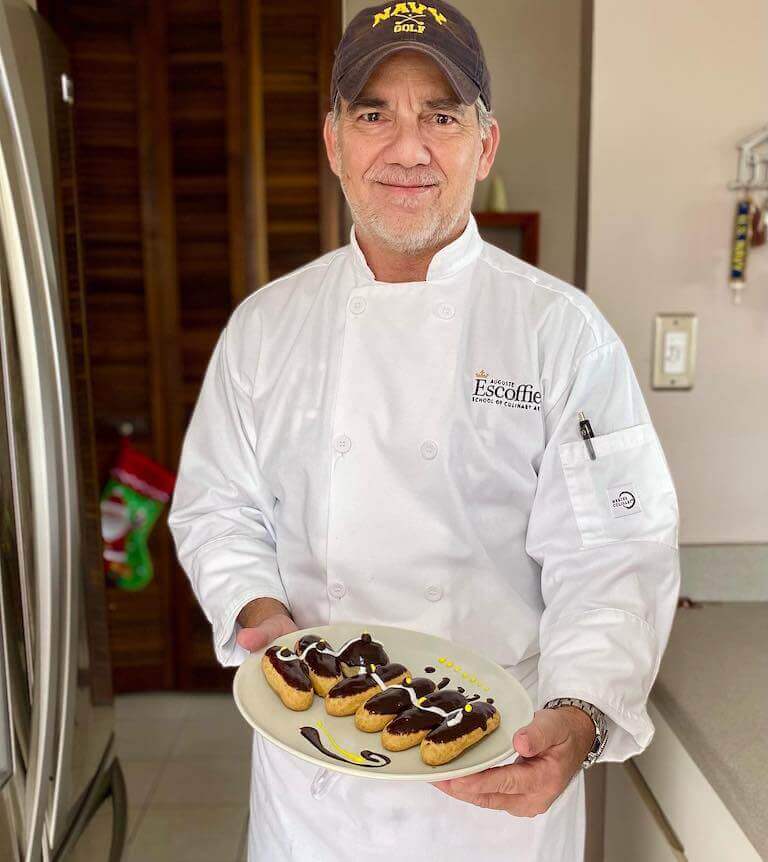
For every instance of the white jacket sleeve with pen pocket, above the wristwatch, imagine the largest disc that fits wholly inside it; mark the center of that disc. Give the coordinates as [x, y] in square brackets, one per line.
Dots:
[605, 533]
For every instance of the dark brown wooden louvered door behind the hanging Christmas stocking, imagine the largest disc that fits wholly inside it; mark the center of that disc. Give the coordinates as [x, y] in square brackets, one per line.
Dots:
[201, 176]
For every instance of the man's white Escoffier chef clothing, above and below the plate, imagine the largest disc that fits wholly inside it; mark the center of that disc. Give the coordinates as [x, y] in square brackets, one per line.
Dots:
[409, 454]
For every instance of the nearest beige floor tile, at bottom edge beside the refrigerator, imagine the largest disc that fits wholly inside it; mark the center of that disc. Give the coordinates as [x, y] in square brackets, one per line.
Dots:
[194, 834]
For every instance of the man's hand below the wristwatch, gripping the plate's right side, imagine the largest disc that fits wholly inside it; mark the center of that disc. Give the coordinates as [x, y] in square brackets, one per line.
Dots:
[551, 748]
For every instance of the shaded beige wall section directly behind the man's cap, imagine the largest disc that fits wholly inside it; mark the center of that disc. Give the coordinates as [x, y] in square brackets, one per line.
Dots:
[532, 48]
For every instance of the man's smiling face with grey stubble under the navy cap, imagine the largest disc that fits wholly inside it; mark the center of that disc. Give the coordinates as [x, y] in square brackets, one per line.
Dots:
[408, 154]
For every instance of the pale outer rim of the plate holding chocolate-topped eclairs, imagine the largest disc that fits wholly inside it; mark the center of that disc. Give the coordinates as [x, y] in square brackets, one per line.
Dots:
[441, 775]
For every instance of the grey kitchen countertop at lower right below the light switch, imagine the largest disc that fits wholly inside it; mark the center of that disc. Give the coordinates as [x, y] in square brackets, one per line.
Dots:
[712, 688]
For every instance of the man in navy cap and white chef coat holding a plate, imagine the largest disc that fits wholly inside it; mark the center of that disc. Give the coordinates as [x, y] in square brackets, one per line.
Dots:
[391, 434]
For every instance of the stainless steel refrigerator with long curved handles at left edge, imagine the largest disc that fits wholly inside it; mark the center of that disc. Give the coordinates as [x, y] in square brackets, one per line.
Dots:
[62, 794]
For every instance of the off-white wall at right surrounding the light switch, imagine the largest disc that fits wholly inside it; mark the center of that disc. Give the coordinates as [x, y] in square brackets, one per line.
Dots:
[675, 87]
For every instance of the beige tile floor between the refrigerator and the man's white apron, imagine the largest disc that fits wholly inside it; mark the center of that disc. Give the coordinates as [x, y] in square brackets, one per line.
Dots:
[186, 760]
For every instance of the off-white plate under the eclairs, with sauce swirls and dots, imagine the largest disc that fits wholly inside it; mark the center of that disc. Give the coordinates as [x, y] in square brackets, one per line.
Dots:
[265, 712]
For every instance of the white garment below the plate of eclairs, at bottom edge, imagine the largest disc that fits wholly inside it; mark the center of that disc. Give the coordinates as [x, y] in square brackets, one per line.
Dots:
[395, 821]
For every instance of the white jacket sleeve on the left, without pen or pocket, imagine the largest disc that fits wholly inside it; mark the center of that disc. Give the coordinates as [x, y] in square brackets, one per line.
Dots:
[221, 514]
